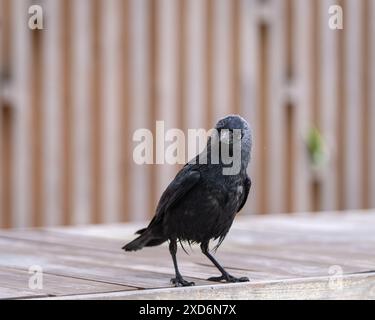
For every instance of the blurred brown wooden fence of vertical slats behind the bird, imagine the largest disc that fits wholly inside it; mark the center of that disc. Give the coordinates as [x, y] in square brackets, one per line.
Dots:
[72, 94]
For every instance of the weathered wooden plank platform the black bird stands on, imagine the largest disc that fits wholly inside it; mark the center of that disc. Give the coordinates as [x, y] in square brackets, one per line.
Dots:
[304, 256]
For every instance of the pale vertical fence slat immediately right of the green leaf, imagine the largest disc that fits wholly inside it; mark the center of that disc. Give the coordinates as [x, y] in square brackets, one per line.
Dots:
[328, 106]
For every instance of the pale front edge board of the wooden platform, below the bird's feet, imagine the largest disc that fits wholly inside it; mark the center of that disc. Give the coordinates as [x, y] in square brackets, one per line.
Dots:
[353, 287]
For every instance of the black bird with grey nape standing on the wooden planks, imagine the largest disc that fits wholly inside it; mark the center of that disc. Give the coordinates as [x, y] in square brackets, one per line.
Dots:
[202, 201]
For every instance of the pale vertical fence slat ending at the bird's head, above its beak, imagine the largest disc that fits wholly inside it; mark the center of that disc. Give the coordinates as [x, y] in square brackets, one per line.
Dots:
[222, 95]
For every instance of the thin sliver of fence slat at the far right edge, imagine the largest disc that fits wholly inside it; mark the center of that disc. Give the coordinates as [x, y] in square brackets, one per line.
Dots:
[372, 104]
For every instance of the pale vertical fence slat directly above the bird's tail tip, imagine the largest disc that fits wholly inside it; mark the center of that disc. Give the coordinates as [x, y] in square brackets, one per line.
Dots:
[139, 177]
